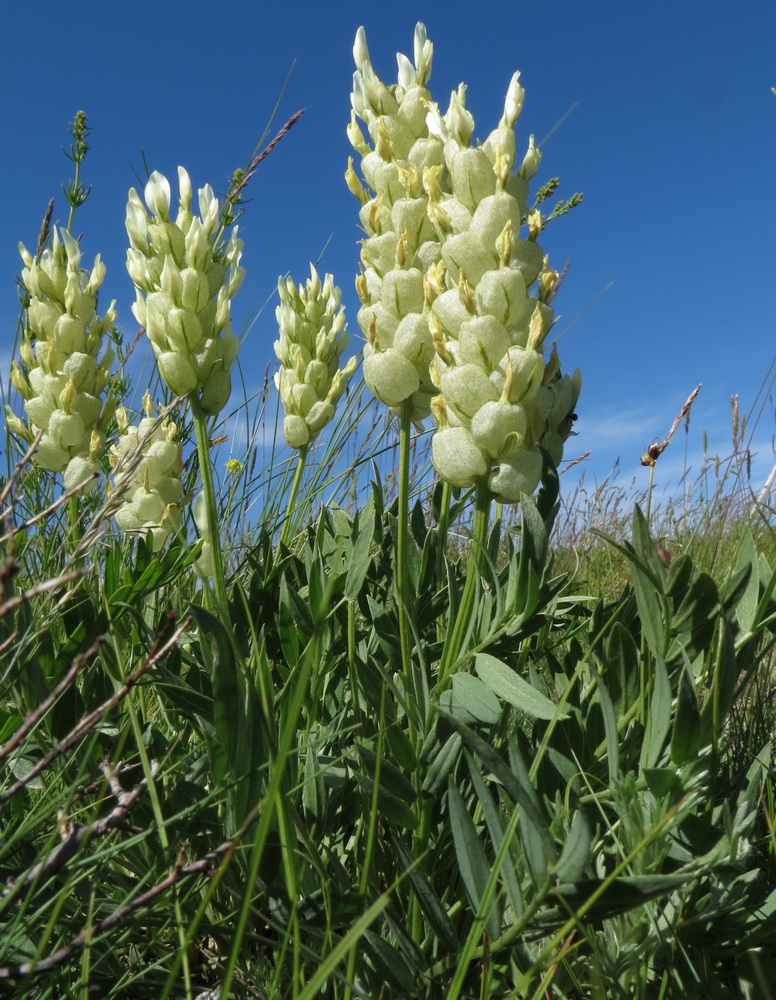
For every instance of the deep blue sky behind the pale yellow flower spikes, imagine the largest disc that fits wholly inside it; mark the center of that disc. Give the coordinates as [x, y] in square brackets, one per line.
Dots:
[672, 140]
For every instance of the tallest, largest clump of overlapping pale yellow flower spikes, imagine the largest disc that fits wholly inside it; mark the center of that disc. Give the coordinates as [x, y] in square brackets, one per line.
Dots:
[455, 287]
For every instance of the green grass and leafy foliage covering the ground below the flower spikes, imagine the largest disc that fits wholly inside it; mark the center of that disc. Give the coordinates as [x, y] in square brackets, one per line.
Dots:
[581, 806]
